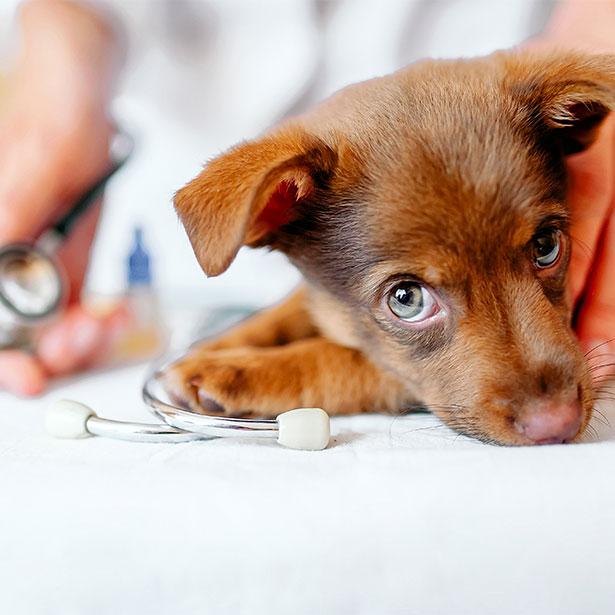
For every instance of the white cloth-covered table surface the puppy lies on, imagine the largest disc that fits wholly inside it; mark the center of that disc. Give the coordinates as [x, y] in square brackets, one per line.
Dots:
[400, 515]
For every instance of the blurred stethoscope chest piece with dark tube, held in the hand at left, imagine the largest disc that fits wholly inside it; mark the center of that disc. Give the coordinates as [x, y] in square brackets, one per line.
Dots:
[33, 286]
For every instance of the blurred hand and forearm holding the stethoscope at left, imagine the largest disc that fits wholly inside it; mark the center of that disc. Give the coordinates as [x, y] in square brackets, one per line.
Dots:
[54, 142]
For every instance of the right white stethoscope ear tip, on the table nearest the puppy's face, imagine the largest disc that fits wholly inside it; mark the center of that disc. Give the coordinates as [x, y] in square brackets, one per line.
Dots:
[305, 429]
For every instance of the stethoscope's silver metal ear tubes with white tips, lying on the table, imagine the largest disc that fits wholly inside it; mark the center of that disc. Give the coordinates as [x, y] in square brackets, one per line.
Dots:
[302, 428]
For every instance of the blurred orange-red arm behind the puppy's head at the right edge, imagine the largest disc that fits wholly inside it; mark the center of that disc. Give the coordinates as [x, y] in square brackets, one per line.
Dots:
[590, 26]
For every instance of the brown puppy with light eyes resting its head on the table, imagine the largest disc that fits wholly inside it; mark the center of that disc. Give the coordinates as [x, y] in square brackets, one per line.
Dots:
[427, 212]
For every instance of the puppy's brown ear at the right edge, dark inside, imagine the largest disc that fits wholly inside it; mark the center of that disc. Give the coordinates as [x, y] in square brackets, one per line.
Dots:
[569, 94]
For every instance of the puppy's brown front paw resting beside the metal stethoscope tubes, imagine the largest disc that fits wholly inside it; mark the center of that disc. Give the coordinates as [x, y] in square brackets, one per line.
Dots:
[234, 382]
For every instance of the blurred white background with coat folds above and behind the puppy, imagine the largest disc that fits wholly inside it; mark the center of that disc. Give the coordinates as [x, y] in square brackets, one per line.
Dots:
[201, 75]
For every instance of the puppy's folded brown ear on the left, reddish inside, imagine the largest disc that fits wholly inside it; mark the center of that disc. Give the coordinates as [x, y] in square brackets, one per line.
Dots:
[245, 195]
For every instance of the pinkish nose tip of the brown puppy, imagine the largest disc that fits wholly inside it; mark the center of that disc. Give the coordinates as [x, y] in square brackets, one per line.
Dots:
[551, 422]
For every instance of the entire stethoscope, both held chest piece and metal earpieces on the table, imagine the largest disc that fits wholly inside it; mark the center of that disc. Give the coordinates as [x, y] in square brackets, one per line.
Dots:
[33, 289]
